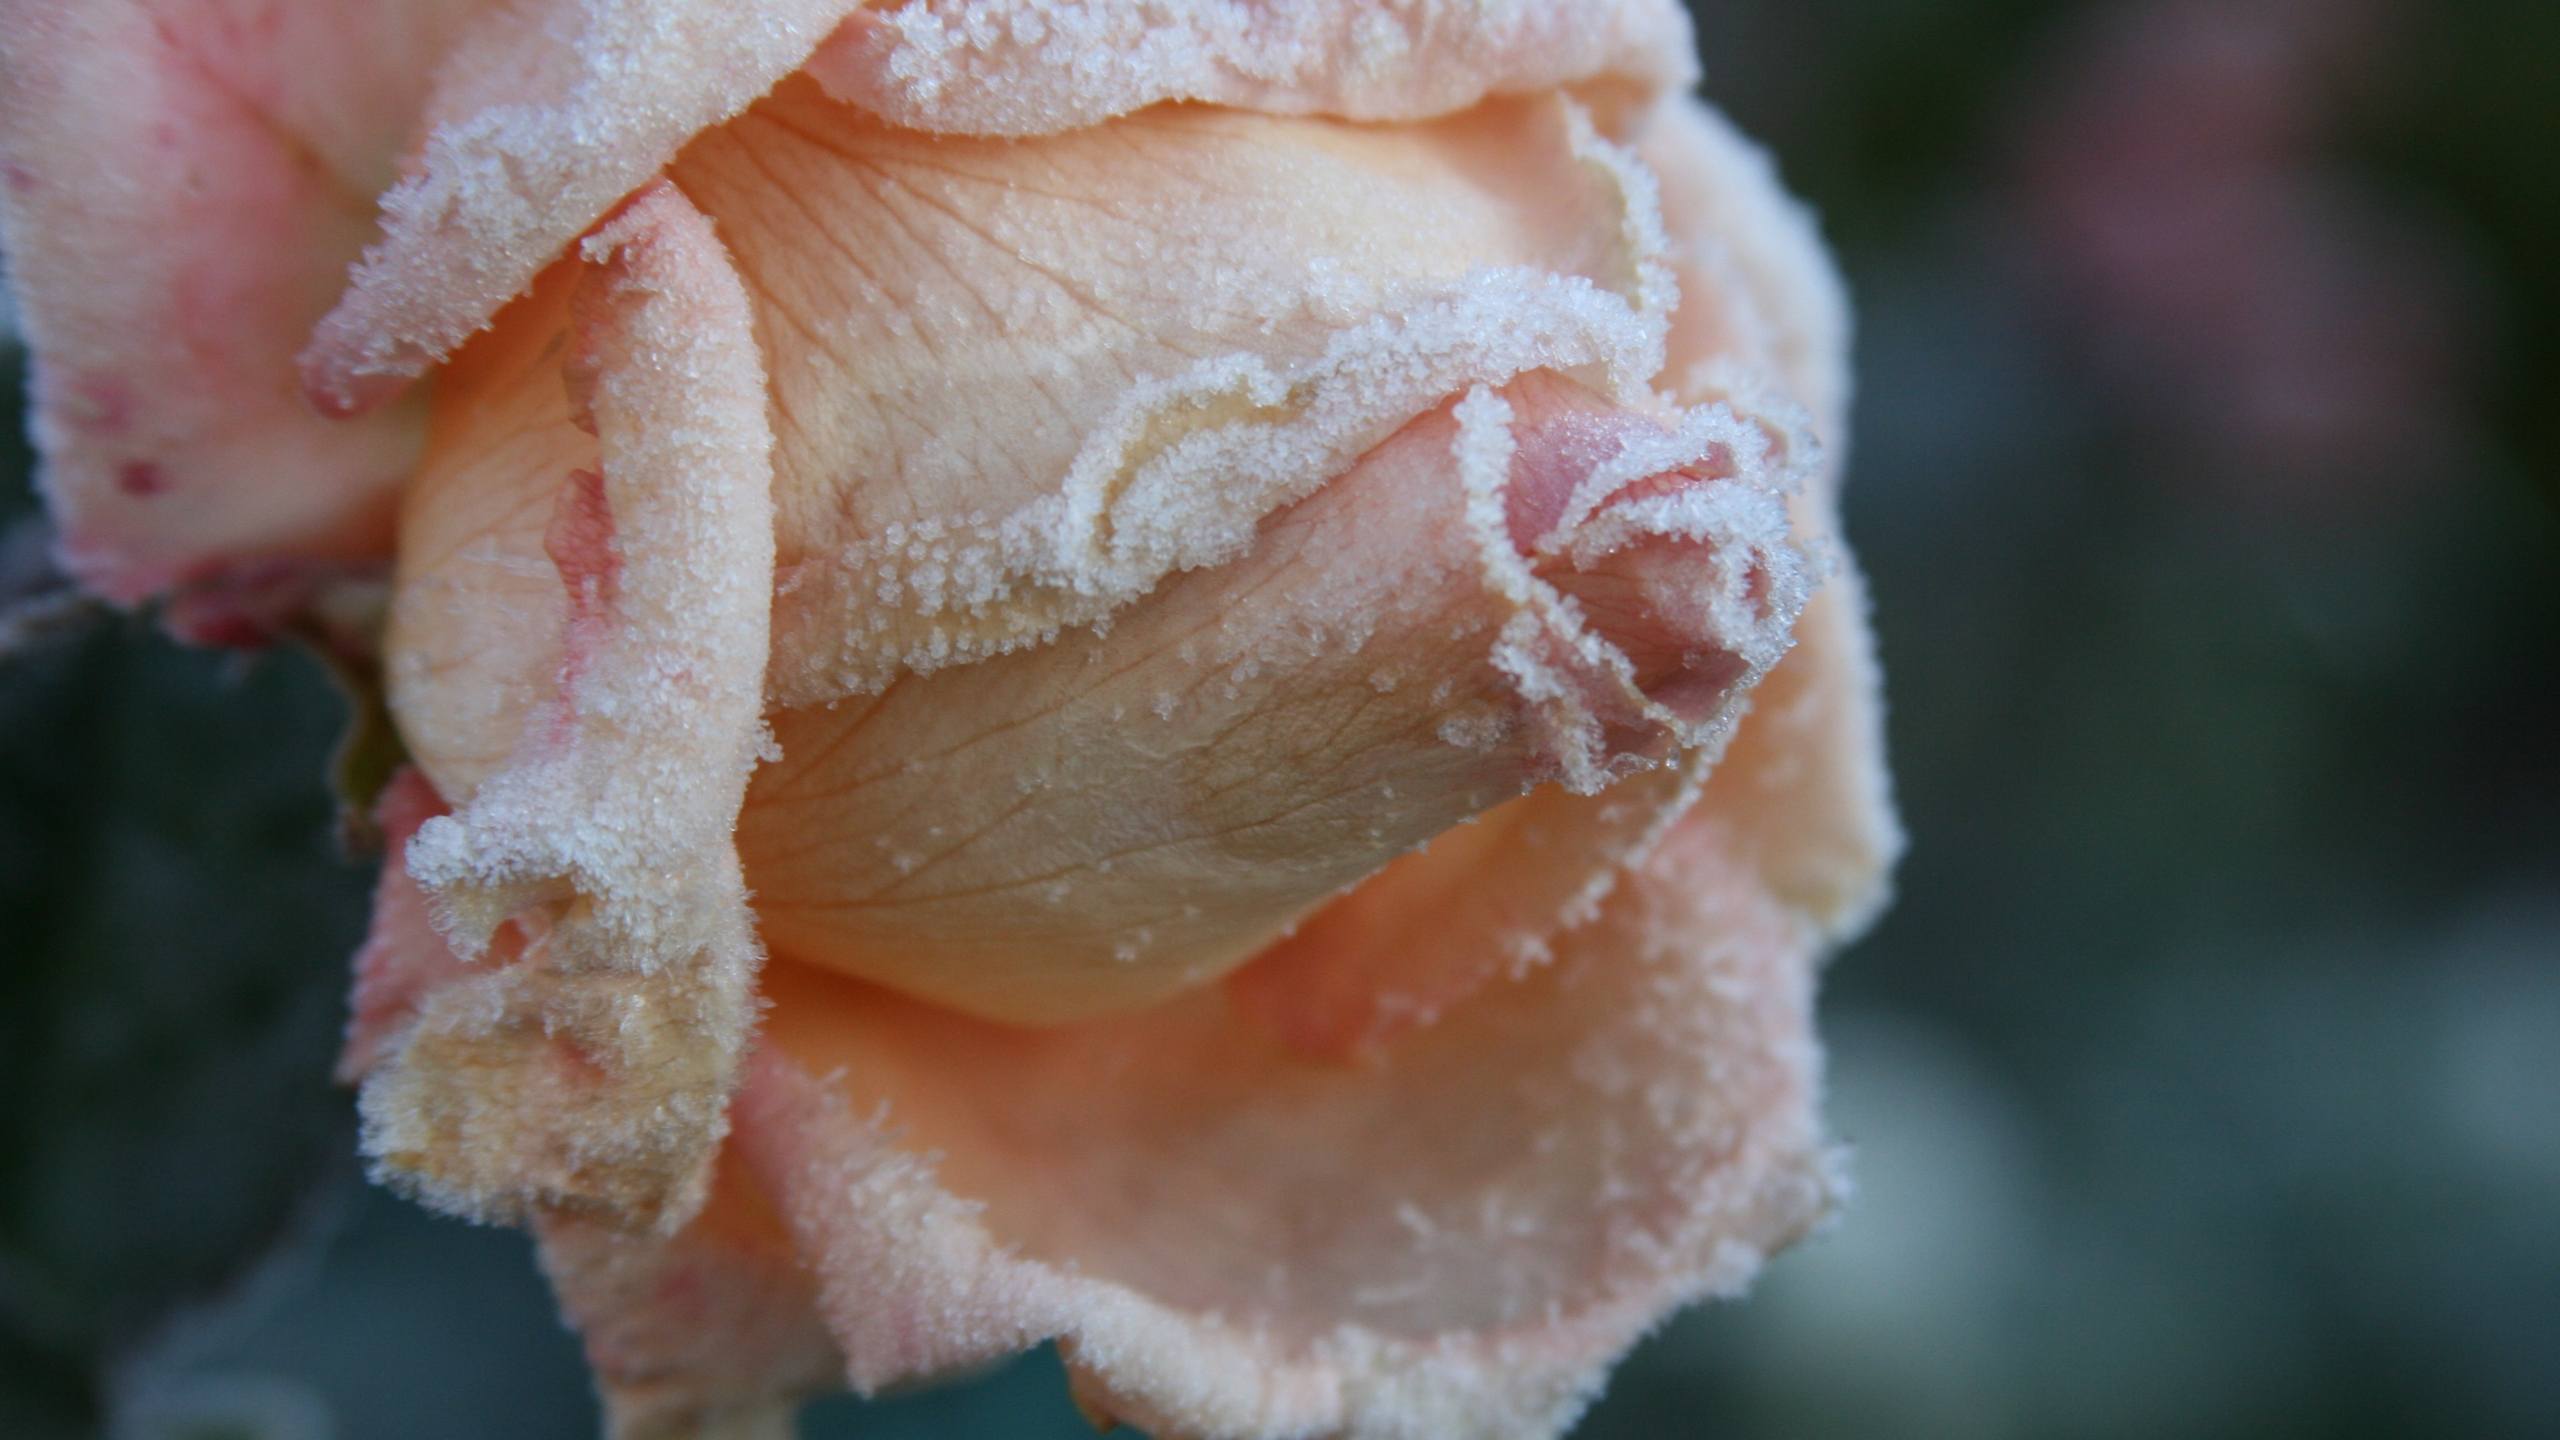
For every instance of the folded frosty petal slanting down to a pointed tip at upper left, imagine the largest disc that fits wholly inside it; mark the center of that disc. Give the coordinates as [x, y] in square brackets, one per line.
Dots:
[541, 122]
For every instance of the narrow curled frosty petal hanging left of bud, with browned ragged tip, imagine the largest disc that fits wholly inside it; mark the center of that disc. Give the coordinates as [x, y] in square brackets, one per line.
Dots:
[595, 1070]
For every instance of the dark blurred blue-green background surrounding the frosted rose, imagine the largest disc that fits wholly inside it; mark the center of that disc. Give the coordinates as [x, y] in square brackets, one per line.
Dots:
[2205, 1077]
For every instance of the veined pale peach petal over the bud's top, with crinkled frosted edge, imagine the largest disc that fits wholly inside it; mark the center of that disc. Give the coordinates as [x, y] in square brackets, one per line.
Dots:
[1025, 380]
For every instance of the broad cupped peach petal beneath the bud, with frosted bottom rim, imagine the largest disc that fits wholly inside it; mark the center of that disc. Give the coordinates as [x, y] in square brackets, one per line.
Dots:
[1230, 1239]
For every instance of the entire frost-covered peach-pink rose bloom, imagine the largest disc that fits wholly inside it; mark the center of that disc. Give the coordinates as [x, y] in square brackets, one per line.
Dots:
[1179, 568]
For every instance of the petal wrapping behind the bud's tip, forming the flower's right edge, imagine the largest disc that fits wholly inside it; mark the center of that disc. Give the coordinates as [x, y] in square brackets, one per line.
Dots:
[1760, 329]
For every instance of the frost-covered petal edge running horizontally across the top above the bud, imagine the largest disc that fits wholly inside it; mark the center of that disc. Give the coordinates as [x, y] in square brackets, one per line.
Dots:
[1030, 68]
